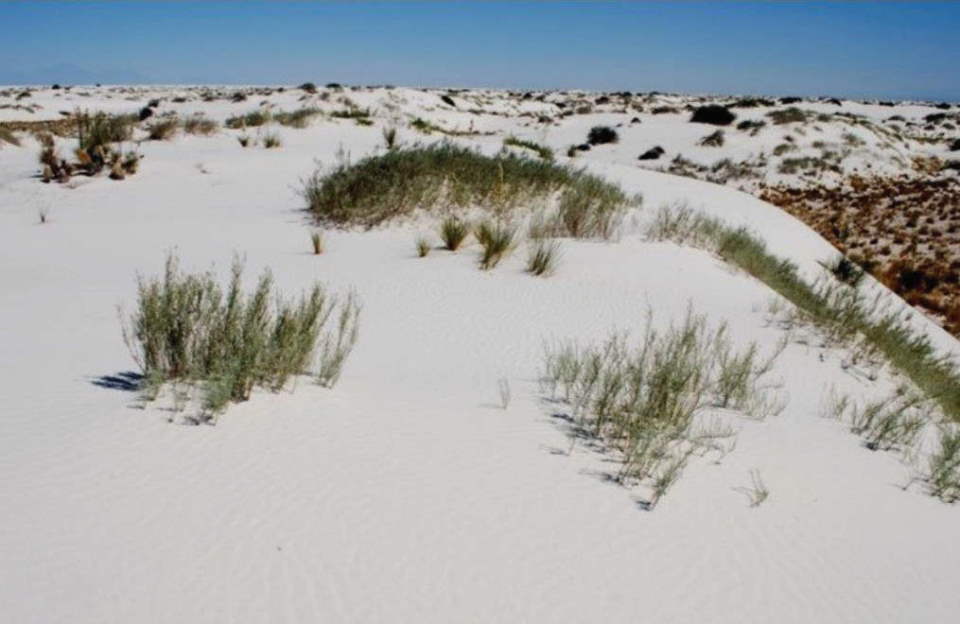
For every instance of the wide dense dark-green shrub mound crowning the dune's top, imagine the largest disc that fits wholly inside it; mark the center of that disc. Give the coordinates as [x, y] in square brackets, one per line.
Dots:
[398, 182]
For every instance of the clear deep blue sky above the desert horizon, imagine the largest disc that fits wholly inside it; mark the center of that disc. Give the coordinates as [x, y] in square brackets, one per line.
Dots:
[857, 49]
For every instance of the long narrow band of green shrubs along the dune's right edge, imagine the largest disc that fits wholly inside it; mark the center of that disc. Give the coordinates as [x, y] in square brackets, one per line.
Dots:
[842, 314]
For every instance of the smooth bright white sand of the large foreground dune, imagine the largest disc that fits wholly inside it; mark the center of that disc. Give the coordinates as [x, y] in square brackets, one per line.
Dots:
[405, 494]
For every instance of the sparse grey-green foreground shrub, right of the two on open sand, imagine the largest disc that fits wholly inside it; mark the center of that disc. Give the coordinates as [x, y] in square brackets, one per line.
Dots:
[642, 400]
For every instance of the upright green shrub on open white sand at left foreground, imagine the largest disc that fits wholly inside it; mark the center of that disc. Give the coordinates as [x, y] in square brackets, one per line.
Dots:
[187, 328]
